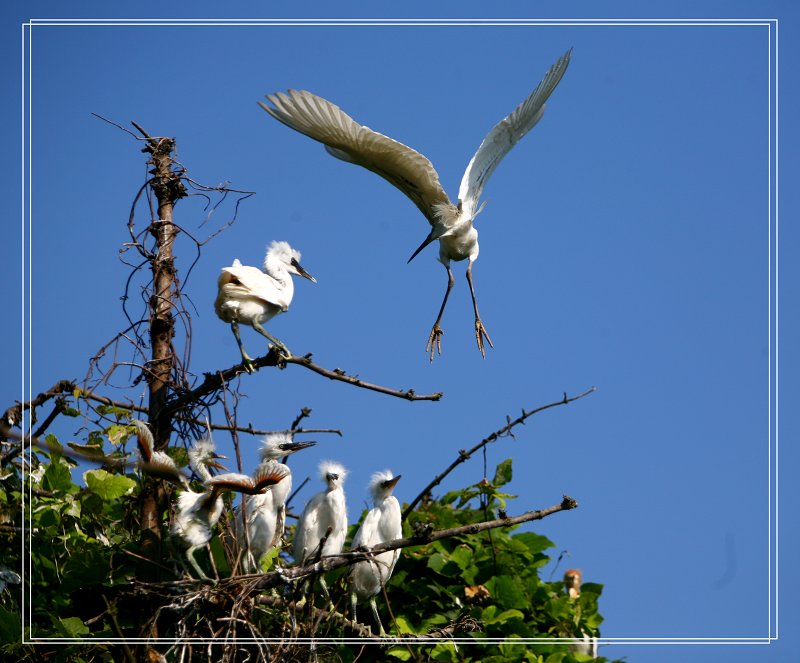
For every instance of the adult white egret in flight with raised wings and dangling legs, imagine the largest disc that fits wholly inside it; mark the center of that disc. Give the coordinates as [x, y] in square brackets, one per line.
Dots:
[415, 176]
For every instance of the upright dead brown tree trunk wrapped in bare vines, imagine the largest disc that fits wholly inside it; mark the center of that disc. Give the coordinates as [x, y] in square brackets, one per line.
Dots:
[168, 189]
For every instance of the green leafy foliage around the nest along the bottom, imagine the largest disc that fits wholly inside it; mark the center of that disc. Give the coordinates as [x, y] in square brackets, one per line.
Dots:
[84, 546]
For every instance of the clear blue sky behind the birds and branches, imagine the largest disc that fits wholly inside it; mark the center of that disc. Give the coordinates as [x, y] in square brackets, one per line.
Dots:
[625, 245]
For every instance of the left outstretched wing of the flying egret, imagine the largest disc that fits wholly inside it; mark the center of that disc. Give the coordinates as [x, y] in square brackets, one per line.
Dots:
[346, 139]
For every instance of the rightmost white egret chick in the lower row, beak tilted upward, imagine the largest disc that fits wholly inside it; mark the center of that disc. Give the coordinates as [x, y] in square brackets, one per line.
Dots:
[382, 523]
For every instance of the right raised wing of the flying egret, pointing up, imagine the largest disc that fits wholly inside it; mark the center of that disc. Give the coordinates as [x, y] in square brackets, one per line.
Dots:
[507, 133]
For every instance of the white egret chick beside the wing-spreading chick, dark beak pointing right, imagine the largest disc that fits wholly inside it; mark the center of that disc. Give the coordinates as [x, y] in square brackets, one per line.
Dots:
[266, 512]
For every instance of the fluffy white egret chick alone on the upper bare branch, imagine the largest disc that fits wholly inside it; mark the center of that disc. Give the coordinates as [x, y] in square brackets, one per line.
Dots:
[252, 296]
